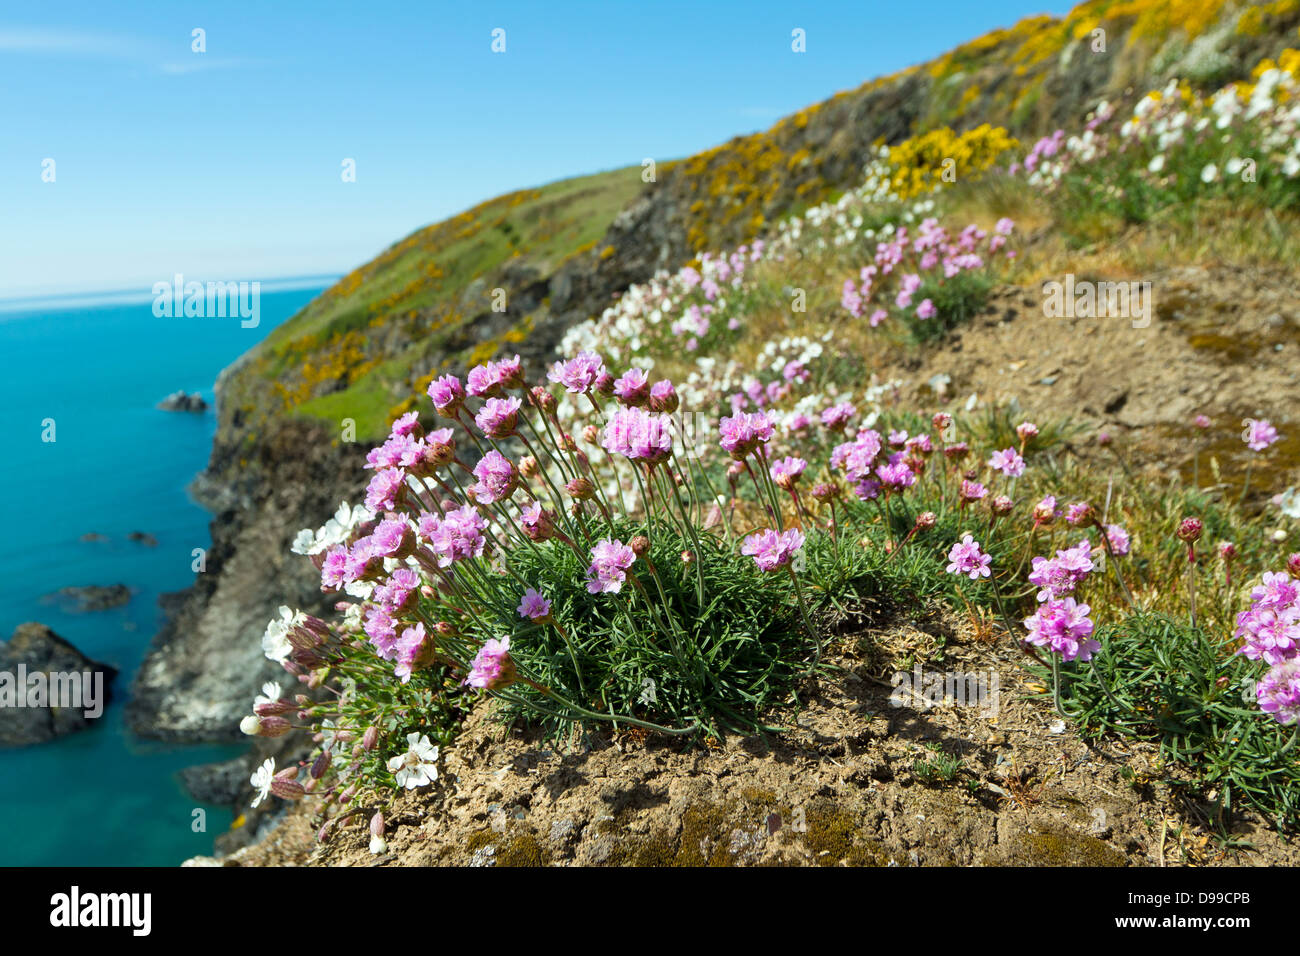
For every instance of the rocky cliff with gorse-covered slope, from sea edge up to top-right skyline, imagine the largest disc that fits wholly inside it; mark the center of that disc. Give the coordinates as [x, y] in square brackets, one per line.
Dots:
[276, 469]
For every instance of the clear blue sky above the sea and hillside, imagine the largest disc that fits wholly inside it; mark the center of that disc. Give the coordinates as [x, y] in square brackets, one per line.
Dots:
[227, 165]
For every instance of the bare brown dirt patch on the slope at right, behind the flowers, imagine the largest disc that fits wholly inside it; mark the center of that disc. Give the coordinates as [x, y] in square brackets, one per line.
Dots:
[1223, 341]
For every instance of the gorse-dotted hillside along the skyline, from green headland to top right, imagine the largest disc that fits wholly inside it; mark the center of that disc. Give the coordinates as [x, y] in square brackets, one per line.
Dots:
[426, 305]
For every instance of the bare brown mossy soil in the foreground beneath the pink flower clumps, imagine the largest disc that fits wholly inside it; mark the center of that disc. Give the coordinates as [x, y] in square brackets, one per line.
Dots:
[855, 782]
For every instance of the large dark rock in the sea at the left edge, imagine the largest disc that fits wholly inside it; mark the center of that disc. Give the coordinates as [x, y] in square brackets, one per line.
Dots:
[36, 650]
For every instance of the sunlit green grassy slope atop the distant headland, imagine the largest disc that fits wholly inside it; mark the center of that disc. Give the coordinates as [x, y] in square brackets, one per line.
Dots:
[349, 352]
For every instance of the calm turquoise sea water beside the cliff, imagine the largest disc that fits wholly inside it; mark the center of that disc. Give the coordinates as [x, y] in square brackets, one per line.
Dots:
[118, 465]
